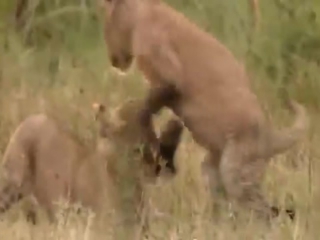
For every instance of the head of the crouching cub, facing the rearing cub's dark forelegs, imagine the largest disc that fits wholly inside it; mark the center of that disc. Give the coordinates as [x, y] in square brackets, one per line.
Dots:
[120, 133]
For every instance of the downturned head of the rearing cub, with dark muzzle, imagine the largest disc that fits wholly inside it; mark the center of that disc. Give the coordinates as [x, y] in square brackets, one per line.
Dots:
[118, 28]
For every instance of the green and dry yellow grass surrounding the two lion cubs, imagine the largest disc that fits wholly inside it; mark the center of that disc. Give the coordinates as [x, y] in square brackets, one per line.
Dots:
[58, 64]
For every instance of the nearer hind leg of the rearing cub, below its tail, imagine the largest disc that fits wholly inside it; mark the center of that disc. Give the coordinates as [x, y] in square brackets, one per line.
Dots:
[241, 175]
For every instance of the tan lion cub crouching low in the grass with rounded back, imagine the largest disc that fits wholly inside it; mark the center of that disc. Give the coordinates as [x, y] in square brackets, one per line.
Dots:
[45, 161]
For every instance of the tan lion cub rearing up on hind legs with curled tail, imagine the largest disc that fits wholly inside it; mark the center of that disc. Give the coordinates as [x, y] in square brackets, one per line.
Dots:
[196, 76]
